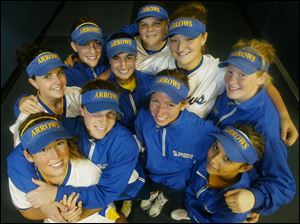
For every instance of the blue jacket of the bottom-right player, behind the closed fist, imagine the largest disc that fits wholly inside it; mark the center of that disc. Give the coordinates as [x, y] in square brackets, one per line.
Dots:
[205, 204]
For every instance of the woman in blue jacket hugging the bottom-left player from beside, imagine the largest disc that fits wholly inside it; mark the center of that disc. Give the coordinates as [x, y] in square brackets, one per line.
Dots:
[108, 144]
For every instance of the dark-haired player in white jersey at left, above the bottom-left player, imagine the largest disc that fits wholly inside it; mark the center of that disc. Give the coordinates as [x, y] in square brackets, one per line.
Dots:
[46, 75]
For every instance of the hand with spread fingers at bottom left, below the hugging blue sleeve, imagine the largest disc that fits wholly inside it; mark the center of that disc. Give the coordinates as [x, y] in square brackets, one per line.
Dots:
[74, 212]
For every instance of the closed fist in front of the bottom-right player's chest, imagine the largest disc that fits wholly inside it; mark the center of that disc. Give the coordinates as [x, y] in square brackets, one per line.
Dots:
[239, 200]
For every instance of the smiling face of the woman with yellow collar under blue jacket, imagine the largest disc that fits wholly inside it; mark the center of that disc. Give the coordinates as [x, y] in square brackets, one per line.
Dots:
[123, 66]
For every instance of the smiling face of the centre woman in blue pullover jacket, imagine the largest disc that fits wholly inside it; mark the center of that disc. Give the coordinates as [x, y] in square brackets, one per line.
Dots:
[163, 110]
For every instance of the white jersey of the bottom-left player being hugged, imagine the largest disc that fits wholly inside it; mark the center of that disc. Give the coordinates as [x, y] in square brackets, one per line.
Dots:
[83, 173]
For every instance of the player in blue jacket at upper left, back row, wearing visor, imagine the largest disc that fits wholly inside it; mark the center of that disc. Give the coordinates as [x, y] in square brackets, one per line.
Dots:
[89, 61]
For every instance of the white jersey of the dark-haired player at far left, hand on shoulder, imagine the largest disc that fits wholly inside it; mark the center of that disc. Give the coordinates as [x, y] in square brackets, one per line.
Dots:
[71, 109]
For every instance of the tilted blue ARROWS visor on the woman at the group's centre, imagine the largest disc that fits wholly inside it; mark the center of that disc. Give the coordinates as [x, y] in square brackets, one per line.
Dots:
[174, 88]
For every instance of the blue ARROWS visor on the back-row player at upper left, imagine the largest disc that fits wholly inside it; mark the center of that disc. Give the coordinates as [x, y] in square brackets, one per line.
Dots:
[86, 32]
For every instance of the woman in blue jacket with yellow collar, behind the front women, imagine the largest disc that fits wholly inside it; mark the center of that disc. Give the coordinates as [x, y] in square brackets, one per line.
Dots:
[132, 84]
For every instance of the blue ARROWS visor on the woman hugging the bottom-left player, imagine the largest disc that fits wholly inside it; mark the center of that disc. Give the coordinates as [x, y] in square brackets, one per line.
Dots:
[99, 100]
